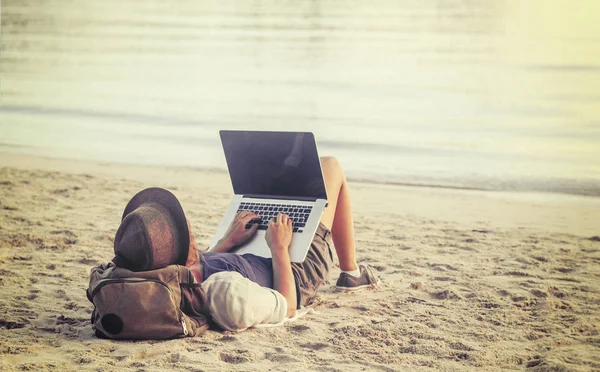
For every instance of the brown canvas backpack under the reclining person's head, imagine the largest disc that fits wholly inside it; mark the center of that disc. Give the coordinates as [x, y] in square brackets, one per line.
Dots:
[157, 304]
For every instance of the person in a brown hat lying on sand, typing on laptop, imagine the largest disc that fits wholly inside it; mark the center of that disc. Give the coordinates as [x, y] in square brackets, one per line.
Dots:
[294, 284]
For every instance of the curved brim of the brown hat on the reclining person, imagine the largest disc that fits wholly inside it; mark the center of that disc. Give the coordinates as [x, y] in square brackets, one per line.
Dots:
[170, 202]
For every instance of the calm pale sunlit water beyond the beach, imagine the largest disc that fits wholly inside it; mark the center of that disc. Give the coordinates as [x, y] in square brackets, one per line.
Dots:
[471, 93]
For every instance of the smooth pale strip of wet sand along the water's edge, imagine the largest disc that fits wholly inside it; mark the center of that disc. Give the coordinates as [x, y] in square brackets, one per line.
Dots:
[561, 213]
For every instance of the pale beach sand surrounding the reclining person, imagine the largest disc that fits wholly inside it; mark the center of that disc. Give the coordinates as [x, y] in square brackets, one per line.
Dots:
[470, 280]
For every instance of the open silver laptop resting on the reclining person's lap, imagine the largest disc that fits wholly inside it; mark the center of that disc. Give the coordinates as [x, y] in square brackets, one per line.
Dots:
[271, 173]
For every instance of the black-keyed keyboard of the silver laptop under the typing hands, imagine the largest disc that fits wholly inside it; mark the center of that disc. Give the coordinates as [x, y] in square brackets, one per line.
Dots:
[298, 213]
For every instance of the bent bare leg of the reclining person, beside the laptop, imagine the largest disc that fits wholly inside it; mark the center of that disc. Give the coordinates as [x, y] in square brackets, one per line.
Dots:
[338, 214]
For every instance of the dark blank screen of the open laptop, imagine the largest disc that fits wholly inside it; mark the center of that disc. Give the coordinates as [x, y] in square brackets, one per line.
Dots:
[282, 164]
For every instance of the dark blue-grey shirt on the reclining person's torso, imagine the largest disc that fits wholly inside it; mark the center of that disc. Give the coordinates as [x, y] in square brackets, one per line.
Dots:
[256, 268]
